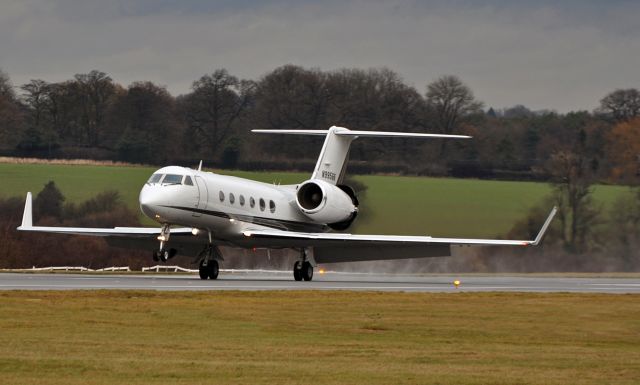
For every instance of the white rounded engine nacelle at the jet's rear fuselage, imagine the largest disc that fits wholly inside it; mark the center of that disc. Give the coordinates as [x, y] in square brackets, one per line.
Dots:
[325, 203]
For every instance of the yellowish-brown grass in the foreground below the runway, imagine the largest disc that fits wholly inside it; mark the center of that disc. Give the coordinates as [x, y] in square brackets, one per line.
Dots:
[115, 337]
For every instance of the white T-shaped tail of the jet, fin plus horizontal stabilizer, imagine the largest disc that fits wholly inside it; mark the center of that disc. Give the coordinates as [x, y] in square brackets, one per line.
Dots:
[332, 161]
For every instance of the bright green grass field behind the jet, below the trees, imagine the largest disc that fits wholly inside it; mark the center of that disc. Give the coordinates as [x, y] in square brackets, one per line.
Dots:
[393, 204]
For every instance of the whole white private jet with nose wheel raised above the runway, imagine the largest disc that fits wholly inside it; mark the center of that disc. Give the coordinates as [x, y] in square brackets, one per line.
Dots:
[217, 210]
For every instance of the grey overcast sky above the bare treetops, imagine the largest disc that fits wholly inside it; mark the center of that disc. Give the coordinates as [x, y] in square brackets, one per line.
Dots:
[537, 53]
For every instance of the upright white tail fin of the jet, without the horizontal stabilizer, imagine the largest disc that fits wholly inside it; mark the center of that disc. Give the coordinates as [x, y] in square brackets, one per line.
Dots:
[332, 161]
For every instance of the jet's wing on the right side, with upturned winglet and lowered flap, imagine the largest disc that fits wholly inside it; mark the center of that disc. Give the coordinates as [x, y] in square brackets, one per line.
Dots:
[337, 247]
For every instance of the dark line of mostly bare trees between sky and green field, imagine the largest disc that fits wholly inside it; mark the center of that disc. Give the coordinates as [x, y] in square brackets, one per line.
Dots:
[92, 116]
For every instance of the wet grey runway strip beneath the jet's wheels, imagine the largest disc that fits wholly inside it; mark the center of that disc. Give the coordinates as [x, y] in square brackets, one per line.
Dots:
[328, 281]
